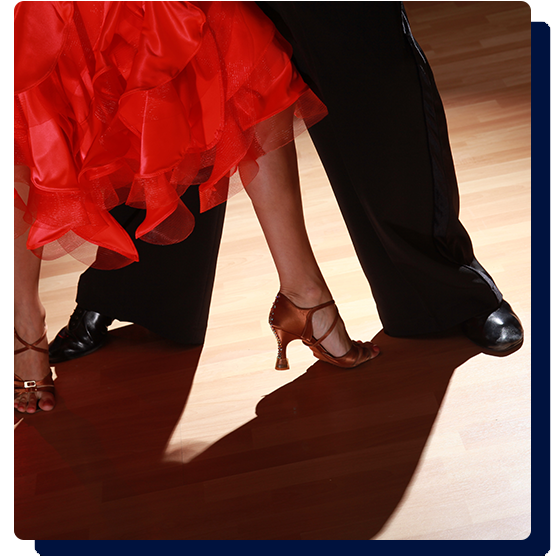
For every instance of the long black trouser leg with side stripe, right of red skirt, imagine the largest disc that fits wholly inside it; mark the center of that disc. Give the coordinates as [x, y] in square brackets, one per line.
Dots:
[385, 148]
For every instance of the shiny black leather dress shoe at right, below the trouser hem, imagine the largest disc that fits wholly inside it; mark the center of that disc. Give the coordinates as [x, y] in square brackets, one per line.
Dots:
[499, 331]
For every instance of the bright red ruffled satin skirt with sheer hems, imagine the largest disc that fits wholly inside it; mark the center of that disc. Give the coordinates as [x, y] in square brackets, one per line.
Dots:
[132, 102]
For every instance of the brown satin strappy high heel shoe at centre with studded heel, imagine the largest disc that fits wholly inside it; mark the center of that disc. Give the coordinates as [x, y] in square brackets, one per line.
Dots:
[290, 322]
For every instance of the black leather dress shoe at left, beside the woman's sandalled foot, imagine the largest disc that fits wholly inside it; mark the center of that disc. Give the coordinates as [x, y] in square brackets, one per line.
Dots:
[85, 333]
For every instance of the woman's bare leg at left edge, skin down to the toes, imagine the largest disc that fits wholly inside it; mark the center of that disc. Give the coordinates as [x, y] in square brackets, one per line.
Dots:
[29, 322]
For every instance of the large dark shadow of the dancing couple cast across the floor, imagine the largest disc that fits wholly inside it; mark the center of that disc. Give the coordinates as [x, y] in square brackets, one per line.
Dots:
[328, 456]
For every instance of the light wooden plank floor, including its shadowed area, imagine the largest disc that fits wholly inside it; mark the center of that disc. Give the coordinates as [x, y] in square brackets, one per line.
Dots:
[429, 441]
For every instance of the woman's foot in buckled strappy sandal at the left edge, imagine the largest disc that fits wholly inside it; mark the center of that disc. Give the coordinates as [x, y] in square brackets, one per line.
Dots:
[31, 364]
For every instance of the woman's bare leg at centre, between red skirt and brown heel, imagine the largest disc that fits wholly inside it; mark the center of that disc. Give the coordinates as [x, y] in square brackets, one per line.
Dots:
[276, 197]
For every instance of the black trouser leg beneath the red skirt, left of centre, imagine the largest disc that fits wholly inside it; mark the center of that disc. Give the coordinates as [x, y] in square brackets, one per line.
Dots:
[169, 290]
